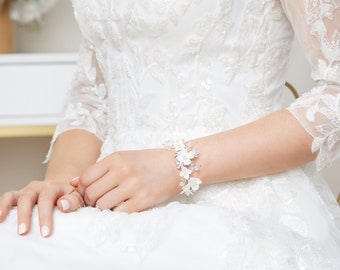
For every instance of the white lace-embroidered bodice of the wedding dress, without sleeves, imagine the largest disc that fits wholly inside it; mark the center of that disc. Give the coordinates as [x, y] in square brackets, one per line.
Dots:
[187, 67]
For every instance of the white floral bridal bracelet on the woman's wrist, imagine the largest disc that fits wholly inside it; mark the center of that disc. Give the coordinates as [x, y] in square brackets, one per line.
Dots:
[185, 156]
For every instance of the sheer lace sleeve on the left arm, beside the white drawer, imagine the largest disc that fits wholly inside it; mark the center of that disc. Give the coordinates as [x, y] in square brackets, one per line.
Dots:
[85, 107]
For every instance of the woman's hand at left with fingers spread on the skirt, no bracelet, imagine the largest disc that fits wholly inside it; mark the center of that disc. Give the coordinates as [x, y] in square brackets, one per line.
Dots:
[46, 195]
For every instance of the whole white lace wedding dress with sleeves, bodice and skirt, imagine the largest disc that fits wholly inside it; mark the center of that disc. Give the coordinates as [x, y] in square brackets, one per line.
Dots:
[154, 70]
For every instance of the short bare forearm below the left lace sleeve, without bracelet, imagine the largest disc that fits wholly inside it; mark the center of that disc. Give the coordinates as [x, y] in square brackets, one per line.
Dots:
[73, 152]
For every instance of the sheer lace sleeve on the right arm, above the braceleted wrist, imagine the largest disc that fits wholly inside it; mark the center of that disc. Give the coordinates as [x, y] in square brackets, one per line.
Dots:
[317, 26]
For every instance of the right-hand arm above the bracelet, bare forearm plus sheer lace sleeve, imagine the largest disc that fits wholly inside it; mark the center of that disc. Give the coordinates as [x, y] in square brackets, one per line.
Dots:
[308, 130]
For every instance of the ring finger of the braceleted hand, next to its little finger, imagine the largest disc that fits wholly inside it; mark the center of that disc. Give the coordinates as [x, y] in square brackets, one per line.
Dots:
[113, 198]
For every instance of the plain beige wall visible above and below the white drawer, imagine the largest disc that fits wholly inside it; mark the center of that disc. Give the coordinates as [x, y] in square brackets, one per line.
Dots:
[21, 158]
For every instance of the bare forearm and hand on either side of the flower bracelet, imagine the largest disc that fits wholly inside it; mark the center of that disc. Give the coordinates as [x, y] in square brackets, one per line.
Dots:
[129, 181]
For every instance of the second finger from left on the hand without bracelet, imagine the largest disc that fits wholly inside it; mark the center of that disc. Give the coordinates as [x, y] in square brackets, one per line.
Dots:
[25, 206]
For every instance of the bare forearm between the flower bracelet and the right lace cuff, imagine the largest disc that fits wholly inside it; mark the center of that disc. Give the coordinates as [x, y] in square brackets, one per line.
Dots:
[270, 145]
